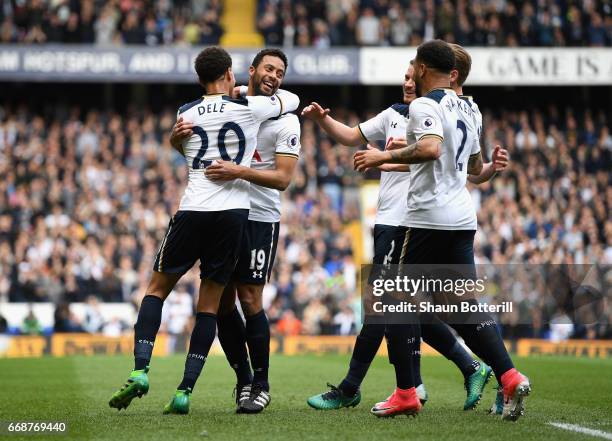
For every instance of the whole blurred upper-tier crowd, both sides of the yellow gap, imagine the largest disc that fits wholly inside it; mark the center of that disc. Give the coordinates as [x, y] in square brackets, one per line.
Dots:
[318, 23]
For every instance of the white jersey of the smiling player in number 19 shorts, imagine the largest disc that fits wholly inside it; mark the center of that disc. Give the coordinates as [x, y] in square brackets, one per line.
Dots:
[276, 137]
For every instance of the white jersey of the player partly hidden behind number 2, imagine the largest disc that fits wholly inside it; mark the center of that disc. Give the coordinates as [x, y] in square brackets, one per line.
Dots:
[390, 123]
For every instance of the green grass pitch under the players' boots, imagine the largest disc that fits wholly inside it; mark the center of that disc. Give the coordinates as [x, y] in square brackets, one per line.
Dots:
[76, 390]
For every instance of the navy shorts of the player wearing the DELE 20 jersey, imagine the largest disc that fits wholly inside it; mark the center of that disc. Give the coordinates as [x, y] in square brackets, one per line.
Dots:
[213, 237]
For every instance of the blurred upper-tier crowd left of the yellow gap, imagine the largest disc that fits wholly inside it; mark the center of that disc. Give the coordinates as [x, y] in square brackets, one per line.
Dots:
[114, 22]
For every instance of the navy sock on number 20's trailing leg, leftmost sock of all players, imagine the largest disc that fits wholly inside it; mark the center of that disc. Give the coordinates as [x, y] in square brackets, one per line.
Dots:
[145, 330]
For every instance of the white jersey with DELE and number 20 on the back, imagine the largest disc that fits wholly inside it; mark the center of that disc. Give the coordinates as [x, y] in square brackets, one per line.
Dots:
[225, 130]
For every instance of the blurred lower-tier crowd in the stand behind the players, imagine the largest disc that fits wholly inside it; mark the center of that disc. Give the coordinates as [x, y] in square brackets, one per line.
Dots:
[86, 196]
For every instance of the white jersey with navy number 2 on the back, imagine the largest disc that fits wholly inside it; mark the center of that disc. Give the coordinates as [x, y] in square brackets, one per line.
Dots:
[438, 198]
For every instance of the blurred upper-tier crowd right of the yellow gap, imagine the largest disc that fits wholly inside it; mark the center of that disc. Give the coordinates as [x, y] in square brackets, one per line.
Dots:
[322, 23]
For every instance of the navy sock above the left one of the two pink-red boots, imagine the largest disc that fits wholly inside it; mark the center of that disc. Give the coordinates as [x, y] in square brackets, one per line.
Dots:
[400, 345]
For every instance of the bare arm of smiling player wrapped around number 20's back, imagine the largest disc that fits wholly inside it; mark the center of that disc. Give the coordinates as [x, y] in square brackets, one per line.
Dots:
[278, 179]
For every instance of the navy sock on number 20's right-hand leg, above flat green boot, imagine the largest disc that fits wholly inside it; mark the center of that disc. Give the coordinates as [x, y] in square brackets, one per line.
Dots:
[202, 337]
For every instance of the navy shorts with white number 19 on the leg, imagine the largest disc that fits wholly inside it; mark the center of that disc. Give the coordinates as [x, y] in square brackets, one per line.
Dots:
[257, 253]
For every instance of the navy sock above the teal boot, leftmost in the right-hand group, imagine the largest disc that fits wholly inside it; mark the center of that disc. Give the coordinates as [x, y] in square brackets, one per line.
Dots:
[367, 344]
